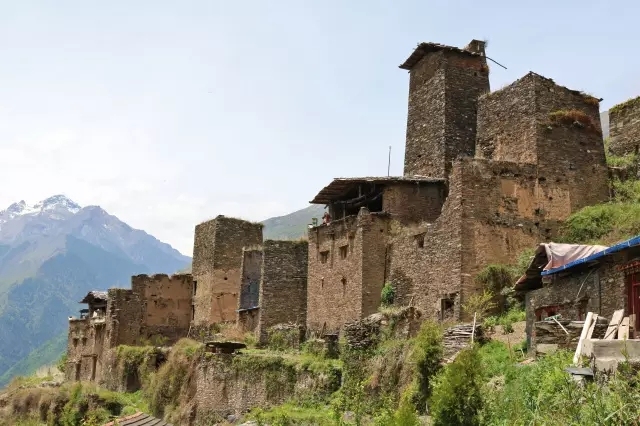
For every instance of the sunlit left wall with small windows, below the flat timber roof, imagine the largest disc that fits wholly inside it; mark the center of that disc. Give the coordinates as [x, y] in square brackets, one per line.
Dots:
[331, 301]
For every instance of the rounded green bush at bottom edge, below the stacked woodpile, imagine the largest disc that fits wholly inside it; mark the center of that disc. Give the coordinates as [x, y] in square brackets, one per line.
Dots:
[457, 393]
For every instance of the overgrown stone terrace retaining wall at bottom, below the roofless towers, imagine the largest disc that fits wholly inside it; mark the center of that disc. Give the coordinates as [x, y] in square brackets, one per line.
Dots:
[234, 384]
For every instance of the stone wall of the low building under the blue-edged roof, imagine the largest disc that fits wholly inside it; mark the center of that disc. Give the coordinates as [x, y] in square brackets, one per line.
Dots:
[600, 289]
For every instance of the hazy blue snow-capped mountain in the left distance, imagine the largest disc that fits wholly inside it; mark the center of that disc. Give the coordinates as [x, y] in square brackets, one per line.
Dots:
[51, 254]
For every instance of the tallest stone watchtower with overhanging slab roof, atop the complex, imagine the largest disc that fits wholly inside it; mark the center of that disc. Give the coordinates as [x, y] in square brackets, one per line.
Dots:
[445, 83]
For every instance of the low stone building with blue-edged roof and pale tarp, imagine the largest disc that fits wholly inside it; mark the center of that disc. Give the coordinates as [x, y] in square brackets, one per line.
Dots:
[602, 281]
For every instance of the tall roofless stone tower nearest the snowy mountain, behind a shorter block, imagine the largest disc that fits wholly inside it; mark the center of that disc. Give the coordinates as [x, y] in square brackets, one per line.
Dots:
[217, 262]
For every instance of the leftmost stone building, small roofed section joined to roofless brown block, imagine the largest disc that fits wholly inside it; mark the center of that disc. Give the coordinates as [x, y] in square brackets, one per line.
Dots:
[156, 310]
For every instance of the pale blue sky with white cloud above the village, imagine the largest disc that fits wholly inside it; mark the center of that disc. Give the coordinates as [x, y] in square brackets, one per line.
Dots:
[169, 113]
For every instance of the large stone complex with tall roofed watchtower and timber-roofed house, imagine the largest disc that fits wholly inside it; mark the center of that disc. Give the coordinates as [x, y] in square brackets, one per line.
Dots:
[486, 176]
